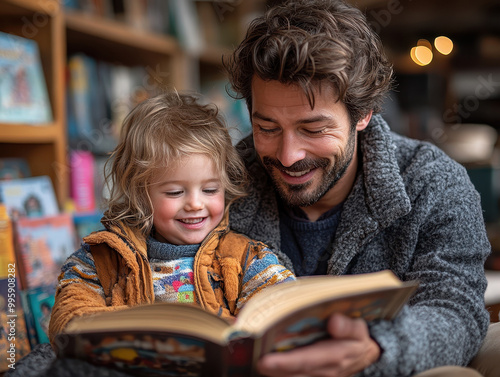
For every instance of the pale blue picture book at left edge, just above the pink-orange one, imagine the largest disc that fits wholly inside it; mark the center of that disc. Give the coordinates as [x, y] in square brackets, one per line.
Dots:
[29, 197]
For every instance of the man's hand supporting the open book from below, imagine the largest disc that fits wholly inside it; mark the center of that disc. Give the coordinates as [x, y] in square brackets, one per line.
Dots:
[349, 351]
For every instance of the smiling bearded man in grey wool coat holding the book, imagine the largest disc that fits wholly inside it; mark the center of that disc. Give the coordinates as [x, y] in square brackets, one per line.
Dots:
[337, 193]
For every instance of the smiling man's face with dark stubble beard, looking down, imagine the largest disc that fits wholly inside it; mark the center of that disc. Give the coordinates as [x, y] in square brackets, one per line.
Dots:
[305, 151]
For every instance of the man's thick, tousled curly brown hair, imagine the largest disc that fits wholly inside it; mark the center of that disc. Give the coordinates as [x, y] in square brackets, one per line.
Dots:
[310, 42]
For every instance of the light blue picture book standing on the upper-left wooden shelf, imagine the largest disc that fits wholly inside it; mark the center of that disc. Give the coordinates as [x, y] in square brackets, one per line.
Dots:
[23, 91]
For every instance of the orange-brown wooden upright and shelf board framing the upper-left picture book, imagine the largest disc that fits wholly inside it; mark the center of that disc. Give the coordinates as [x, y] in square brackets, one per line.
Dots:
[44, 145]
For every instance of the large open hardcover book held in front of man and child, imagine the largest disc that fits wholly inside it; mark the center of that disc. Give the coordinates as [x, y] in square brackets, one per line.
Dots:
[184, 340]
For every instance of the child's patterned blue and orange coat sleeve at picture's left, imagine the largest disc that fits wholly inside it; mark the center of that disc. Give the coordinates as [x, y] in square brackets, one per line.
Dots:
[78, 293]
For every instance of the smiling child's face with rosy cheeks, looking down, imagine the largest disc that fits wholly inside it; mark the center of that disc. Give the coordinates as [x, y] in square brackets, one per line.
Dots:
[188, 201]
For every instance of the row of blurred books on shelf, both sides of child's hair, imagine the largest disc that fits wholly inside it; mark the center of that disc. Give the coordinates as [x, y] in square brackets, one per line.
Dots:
[100, 95]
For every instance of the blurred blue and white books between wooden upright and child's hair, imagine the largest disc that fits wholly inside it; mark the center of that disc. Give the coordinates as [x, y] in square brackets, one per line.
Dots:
[99, 96]
